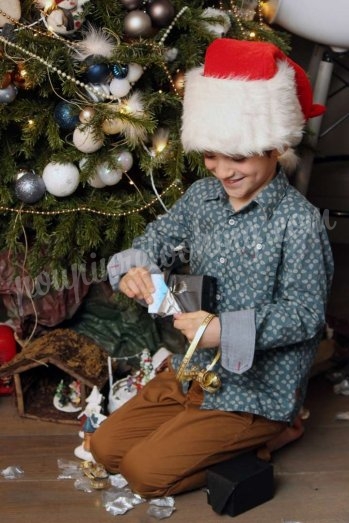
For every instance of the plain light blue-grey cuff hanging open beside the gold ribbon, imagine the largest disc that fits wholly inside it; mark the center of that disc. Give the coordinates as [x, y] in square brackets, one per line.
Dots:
[238, 337]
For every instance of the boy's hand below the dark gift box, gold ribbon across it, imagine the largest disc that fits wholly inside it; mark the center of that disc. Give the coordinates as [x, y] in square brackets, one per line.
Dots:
[189, 322]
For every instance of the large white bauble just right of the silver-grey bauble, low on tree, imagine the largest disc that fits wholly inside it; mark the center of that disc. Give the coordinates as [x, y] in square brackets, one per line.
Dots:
[61, 179]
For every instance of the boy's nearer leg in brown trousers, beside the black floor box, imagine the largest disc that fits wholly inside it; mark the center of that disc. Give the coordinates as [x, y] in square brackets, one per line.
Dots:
[174, 457]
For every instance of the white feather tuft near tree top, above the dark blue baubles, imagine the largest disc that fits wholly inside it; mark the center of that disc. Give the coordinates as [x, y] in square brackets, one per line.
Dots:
[95, 42]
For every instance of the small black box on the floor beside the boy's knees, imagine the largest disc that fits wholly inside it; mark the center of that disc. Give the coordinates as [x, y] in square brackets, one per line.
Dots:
[239, 484]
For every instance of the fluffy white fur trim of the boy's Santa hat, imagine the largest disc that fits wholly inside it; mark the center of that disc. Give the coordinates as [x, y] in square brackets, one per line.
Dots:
[239, 116]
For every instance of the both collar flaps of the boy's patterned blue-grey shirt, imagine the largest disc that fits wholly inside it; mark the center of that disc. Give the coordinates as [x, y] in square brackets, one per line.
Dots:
[268, 199]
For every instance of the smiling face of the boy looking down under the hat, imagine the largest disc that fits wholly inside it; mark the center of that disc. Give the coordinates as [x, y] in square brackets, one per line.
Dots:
[242, 178]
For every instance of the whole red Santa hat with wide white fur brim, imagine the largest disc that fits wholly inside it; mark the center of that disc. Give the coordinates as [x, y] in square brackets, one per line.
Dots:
[247, 98]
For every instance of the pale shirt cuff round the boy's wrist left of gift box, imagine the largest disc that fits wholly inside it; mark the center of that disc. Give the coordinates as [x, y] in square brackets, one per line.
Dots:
[123, 261]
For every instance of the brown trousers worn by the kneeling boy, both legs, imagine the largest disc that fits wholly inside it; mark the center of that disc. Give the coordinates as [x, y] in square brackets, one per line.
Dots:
[162, 442]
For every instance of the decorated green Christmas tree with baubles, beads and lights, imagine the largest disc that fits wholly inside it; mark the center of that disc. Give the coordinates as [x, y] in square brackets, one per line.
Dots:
[90, 108]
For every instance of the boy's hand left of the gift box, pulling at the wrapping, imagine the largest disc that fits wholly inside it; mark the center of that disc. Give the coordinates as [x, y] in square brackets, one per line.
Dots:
[137, 284]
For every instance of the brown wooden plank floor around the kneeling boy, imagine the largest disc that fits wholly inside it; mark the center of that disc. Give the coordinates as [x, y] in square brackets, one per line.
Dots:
[311, 475]
